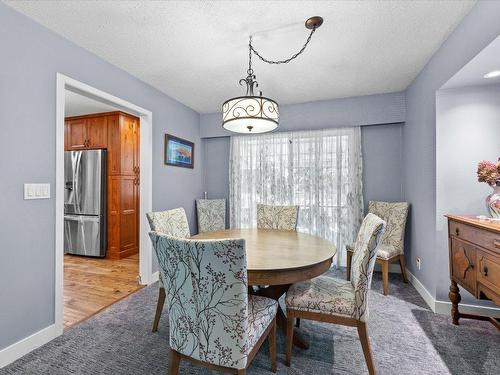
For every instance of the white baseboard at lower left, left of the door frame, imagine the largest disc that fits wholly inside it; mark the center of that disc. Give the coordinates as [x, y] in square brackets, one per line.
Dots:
[26, 345]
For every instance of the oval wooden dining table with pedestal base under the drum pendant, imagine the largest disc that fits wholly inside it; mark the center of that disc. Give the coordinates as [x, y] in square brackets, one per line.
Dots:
[277, 259]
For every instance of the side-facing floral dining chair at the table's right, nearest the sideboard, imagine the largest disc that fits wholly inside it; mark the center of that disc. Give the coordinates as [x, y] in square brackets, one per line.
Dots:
[332, 300]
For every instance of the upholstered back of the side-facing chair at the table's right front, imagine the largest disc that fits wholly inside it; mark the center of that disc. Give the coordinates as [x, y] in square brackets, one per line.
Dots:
[363, 262]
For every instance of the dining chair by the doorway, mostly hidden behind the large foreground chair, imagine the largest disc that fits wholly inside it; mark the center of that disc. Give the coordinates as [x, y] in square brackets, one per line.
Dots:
[172, 223]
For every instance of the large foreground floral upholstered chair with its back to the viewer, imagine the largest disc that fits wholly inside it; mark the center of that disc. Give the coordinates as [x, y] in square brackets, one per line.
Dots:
[213, 321]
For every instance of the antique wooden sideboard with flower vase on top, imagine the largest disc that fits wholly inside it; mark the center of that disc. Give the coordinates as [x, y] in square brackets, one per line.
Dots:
[474, 251]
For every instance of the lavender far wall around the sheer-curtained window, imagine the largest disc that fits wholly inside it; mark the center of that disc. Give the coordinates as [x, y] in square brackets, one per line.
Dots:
[381, 144]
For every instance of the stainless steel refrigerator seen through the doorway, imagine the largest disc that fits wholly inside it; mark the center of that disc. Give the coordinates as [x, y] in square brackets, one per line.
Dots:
[85, 202]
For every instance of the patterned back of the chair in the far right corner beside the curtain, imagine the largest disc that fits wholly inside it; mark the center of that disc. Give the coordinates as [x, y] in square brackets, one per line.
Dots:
[394, 214]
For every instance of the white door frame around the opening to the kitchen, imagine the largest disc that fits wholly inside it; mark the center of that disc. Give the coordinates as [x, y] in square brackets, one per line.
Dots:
[146, 275]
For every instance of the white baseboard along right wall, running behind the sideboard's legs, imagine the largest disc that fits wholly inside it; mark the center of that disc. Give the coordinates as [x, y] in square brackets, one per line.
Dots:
[444, 307]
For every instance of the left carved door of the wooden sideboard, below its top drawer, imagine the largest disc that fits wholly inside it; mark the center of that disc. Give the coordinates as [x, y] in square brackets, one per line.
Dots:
[463, 260]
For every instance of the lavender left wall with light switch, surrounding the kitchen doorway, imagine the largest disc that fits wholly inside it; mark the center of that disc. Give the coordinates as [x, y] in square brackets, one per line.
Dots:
[31, 55]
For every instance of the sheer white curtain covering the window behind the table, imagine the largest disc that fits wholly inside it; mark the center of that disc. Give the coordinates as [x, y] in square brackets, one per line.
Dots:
[321, 171]
